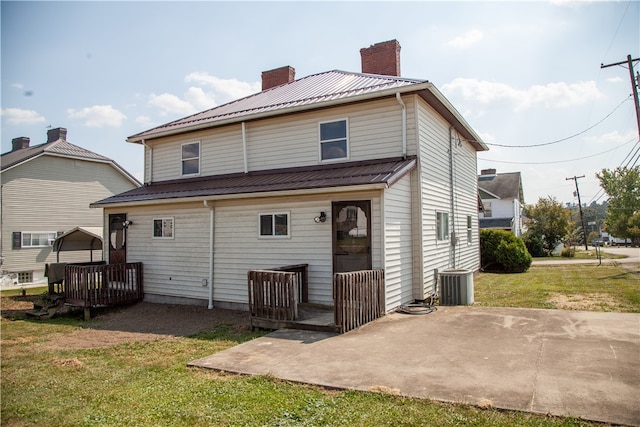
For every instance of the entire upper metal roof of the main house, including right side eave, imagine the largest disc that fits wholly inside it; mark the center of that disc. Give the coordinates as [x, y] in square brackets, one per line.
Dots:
[315, 91]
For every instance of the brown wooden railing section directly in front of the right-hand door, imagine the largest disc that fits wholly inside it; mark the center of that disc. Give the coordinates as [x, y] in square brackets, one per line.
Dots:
[358, 298]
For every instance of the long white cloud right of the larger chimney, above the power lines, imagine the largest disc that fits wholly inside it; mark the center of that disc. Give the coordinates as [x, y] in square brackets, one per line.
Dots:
[551, 95]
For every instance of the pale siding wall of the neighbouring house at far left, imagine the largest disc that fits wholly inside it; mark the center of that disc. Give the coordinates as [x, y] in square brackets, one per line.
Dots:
[52, 193]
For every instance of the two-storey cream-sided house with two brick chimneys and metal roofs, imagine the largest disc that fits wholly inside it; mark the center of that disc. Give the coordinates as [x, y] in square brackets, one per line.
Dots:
[341, 171]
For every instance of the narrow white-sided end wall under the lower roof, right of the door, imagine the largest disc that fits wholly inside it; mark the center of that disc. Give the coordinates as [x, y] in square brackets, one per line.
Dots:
[398, 244]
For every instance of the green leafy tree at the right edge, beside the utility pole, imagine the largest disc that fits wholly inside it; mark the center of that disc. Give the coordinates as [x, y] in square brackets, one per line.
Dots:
[622, 185]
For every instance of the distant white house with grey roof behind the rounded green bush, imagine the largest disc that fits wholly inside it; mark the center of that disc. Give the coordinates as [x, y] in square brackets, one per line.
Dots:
[502, 201]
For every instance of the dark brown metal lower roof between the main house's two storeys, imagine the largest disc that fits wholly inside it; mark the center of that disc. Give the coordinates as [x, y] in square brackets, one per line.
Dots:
[379, 172]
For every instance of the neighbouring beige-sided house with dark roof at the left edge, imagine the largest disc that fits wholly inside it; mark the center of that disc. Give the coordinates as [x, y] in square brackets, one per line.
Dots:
[46, 192]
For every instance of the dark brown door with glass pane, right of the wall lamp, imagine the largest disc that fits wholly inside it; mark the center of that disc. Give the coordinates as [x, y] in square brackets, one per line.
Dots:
[351, 236]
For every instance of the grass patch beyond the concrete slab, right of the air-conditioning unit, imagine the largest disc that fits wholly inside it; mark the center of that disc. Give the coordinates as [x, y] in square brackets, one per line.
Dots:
[569, 287]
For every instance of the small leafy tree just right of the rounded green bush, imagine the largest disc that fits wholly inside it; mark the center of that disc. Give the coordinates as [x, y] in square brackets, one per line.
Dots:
[550, 222]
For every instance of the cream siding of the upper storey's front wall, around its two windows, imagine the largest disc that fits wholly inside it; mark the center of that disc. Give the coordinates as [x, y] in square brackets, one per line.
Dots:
[374, 131]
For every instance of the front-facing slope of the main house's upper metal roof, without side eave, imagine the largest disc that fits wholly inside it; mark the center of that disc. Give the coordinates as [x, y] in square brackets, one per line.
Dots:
[307, 91]
